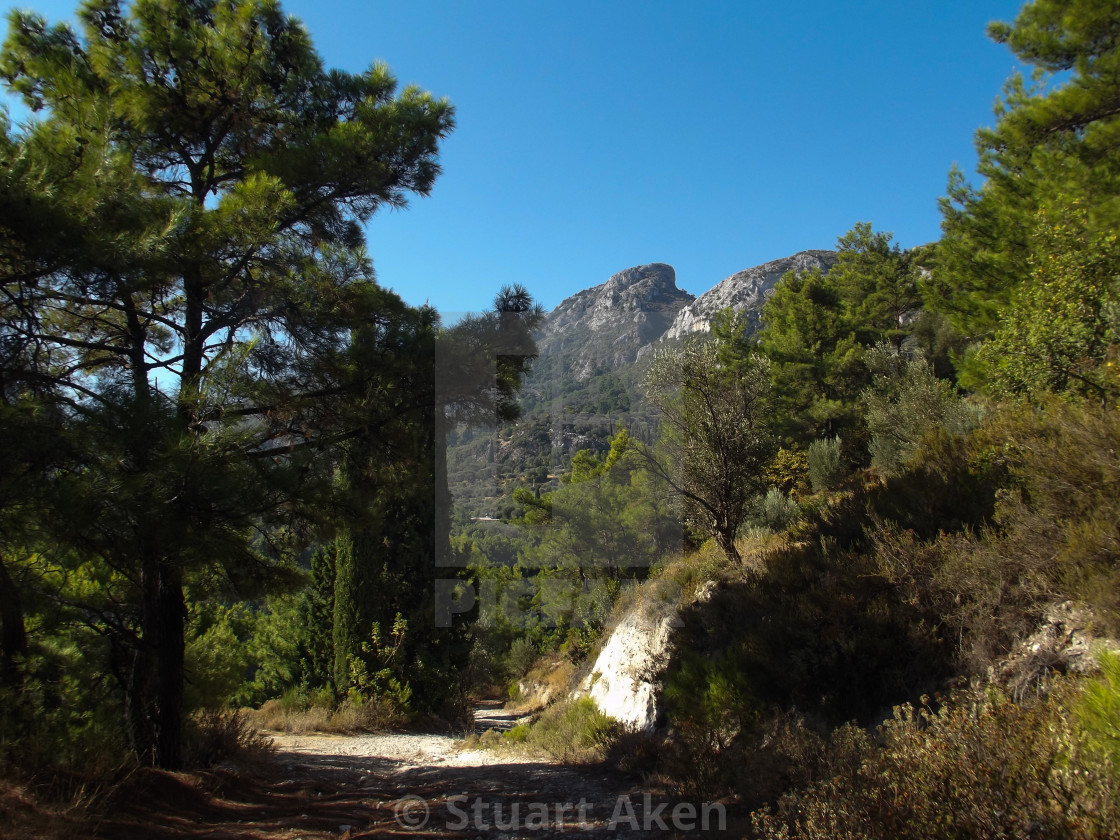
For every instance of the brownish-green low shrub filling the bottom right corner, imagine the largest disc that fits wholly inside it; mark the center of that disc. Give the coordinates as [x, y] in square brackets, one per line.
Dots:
[982, 767]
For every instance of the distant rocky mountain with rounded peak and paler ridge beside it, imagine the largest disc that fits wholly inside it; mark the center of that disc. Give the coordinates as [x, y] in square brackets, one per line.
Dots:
[587, 379]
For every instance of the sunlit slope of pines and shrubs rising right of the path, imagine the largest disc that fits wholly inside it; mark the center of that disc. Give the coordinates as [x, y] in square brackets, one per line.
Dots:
[897, 507]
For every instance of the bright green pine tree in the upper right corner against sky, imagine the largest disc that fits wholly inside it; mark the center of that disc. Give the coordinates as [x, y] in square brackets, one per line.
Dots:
[1054, 148]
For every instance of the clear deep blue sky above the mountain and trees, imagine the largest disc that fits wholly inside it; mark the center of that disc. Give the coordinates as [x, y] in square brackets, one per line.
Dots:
[712, 136]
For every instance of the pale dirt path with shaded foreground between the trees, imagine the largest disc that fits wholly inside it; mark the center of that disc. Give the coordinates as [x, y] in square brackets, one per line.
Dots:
[400, 785]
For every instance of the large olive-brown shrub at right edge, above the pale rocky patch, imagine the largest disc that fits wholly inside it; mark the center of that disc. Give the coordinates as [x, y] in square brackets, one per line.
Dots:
[1019, 516]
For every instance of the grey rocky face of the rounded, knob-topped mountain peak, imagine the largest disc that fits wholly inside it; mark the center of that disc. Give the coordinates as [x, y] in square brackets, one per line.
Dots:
[611, 324]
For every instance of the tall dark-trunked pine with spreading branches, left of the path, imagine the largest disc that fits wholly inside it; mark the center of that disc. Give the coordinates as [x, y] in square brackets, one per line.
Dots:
[184, 264]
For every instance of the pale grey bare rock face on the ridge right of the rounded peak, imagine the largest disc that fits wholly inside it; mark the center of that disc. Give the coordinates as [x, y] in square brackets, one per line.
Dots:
[745, 292]
